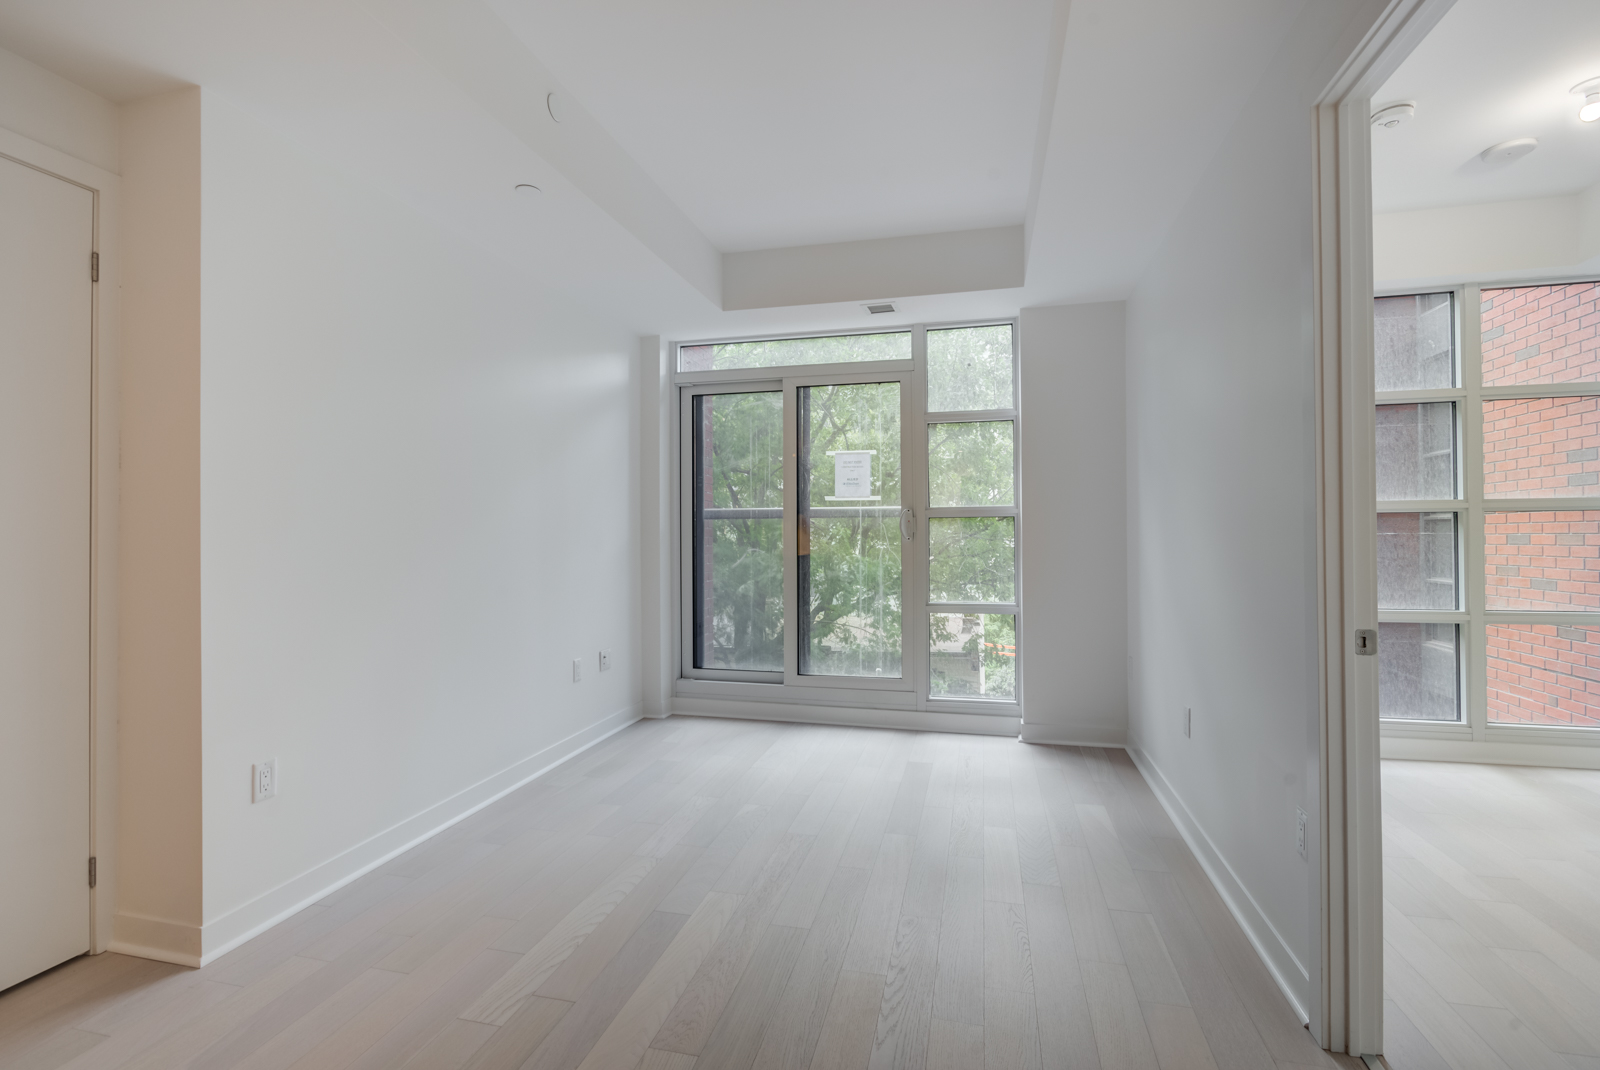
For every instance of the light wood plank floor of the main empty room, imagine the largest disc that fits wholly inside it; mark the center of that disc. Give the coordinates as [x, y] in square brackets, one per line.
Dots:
[705, 895]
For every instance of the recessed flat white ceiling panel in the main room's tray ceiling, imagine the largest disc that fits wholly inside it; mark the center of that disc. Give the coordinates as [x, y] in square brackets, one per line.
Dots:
[799, 124]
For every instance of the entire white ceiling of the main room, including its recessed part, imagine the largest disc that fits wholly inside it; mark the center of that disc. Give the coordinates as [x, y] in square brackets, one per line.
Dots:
[706, 126]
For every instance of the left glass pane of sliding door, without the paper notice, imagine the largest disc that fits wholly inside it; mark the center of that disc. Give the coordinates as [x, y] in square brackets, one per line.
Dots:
[740, 532]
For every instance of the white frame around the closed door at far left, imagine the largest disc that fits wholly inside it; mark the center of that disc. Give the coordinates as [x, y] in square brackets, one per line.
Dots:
[103, 516]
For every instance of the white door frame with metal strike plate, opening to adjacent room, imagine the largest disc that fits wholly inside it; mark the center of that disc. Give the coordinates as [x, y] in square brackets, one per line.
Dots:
[1348, 1015]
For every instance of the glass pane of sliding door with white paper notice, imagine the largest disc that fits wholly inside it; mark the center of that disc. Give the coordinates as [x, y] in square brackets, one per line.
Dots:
[849, 530]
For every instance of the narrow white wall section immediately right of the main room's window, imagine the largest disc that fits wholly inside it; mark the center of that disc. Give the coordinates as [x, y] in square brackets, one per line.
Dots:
[1074, 532]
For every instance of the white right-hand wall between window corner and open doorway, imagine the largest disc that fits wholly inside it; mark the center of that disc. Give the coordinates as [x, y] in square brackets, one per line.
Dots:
[1223, 509]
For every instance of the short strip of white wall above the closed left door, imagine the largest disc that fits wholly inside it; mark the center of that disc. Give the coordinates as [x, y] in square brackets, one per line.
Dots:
[55, 113]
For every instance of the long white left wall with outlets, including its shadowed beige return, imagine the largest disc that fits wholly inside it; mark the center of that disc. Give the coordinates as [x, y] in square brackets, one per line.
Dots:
[414, 503]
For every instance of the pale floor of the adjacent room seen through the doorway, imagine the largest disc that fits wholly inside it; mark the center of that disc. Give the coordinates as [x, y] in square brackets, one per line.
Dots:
[1492, 917]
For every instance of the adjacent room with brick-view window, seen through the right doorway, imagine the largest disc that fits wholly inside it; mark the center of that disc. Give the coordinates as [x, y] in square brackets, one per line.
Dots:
[1487, 257]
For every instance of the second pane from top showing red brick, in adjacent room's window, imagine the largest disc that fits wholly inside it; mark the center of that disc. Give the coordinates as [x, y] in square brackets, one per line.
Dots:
[1542, 449]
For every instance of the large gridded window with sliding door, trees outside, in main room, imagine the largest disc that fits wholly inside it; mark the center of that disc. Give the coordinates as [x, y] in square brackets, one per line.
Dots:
[850, 517]
